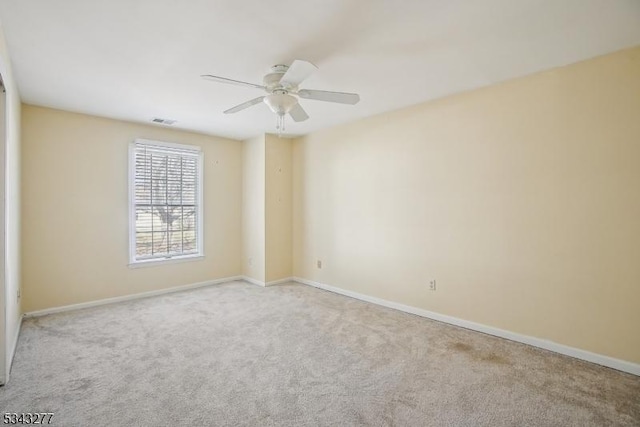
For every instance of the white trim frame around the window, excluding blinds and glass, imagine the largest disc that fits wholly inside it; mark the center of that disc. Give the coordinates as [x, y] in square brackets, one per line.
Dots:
[199, 254]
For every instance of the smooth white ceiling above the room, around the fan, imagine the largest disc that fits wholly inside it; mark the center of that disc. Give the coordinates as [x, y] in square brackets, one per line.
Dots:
[139, 59]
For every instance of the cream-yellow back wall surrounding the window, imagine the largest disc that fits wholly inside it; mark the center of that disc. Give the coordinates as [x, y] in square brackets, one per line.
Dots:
[75, 209]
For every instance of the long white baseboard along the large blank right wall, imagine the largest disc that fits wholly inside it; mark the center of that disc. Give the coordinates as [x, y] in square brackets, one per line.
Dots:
[610, 362]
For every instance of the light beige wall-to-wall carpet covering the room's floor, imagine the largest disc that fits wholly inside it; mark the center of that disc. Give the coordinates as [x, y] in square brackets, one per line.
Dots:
[292, 355]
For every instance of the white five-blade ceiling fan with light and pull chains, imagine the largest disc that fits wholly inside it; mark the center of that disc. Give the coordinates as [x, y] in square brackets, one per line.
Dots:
[281, 85]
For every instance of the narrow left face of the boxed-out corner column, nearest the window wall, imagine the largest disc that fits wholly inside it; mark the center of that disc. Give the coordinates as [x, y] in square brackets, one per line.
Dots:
[253, 209]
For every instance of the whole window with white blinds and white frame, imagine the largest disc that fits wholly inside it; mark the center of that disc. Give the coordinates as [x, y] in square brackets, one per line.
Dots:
[165, 191]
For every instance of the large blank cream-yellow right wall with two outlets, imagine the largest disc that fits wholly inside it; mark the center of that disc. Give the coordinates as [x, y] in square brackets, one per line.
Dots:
[522, 200]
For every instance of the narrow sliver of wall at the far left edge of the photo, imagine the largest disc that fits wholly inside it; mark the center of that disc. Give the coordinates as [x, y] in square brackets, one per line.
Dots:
[12, 191]
